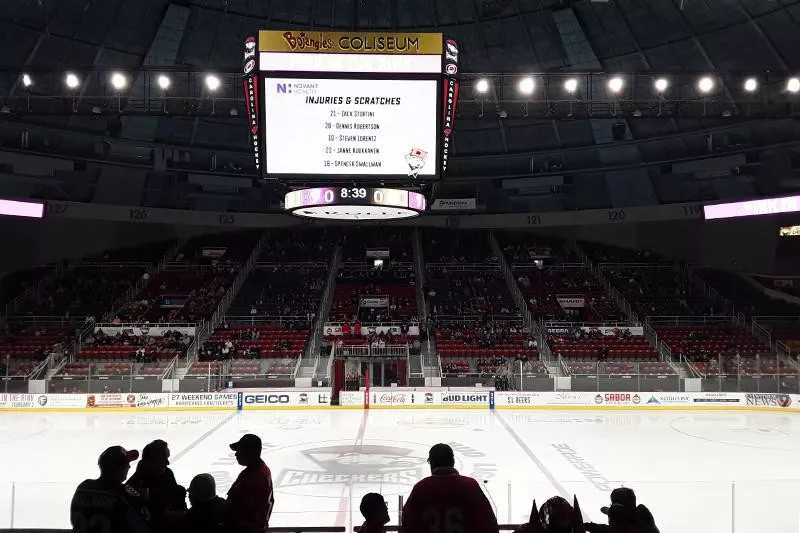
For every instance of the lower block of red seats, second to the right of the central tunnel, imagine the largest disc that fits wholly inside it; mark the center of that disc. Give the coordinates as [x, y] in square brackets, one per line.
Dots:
[634, 348]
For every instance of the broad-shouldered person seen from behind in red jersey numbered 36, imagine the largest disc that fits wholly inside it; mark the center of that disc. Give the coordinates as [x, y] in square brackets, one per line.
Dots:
[447, 502]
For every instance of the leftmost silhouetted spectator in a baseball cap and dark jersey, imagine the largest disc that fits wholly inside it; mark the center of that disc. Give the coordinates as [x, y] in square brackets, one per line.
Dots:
[106, 500]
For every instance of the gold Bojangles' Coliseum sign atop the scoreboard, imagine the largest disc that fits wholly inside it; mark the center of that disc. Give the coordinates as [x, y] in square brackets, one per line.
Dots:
[334, 42]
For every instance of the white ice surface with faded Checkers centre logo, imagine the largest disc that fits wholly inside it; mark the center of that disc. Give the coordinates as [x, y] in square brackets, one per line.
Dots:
[709, 472]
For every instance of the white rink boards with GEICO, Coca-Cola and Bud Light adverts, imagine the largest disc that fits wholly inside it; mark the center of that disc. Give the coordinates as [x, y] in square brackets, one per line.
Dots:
[398, 398]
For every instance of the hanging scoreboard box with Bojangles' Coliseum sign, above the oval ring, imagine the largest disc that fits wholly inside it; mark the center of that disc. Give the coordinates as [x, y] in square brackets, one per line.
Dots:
[330, 107]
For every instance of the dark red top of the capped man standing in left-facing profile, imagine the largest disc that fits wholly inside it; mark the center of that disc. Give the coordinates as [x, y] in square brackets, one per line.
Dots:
[250, 498]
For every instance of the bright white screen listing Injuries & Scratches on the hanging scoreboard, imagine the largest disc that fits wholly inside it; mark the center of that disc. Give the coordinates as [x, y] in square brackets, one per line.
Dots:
[366, 127]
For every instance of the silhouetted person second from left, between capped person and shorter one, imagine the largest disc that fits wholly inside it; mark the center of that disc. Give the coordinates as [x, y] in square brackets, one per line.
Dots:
[156, 482]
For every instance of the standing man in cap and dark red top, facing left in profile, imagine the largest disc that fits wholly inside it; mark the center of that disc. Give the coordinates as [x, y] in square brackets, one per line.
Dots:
[250, 498]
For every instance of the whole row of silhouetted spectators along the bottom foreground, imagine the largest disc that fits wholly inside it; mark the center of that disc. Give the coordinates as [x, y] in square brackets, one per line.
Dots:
[152, 501]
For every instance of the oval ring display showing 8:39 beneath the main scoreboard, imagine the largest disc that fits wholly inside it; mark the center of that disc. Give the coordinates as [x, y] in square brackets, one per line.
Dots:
[354, 203]
